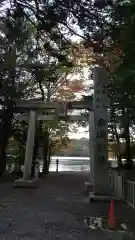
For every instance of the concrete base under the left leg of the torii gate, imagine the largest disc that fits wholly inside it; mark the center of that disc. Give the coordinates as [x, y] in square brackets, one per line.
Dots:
[21, 183]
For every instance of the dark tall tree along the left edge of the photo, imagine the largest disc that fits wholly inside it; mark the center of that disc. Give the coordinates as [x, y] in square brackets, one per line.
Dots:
[12, 36]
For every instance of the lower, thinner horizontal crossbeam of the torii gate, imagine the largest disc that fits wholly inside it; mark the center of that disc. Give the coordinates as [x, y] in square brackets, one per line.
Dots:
[53, 117]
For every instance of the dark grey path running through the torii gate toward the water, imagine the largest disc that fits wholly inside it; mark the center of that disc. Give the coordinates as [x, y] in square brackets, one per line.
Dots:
[56, 210]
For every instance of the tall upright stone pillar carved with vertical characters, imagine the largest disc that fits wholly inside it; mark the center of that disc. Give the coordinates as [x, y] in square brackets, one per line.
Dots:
[101, 185]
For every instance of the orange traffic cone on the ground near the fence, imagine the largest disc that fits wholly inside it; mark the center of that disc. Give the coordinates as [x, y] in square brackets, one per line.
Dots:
[111, 220]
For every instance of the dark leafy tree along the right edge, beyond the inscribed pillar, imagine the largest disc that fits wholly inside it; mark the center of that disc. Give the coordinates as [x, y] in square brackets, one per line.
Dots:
[121, 82]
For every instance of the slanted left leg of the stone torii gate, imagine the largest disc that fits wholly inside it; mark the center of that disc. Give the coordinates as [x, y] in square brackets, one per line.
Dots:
[29, 145]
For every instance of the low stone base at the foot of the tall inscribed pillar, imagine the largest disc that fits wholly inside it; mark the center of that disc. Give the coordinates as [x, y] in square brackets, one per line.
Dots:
[104, 198]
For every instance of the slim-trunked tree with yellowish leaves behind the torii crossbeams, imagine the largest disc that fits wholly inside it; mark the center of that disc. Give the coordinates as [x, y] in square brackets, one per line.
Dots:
[60, 90]
